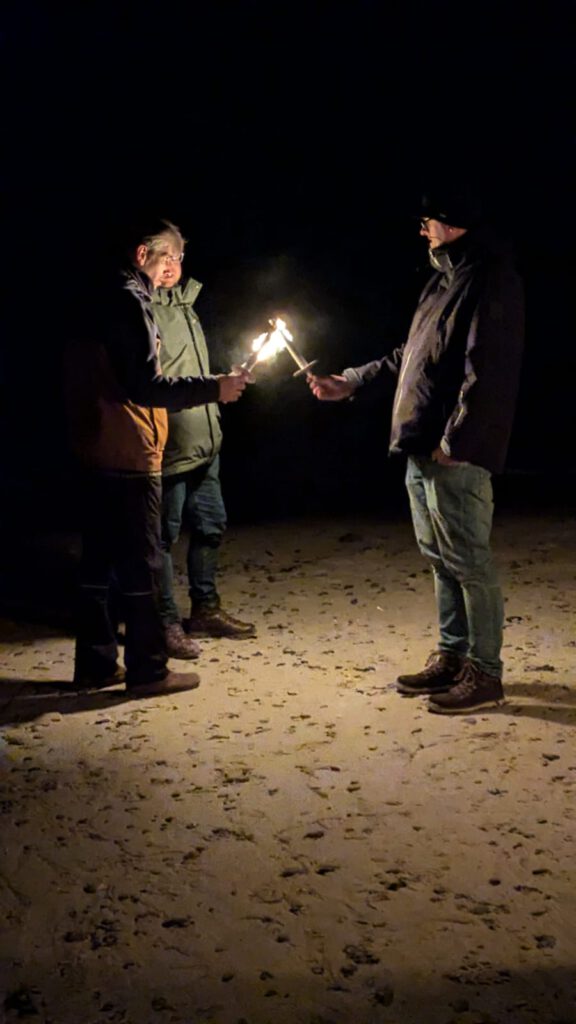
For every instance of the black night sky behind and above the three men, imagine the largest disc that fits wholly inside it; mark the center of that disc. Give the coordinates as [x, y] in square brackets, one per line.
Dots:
[290, 141]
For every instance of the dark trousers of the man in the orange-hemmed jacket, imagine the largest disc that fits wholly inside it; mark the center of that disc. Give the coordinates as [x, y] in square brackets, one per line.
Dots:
[121, 542]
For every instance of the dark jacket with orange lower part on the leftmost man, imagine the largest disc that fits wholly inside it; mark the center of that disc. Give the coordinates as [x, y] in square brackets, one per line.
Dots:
[117, 395]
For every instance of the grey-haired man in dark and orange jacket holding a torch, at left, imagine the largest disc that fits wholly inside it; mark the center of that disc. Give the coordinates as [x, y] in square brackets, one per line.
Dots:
[118, 401]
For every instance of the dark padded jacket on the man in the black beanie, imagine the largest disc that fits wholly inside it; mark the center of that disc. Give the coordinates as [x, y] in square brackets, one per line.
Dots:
[458, 375]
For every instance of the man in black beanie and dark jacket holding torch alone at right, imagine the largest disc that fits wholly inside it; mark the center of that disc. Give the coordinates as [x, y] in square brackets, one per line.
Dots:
[456, 382]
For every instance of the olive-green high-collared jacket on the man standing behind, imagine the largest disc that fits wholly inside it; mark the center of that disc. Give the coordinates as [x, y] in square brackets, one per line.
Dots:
[194, 435]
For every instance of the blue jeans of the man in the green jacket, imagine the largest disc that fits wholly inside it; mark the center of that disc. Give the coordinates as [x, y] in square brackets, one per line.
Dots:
[194, 499]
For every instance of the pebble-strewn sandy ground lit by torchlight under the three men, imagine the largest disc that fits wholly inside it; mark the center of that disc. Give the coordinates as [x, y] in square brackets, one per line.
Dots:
[294, 842]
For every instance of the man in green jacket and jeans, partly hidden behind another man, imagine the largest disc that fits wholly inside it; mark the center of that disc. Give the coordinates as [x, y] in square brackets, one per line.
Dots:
[191, 484]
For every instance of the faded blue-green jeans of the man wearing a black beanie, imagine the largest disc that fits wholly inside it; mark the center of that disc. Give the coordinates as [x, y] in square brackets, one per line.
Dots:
[452, 509]
